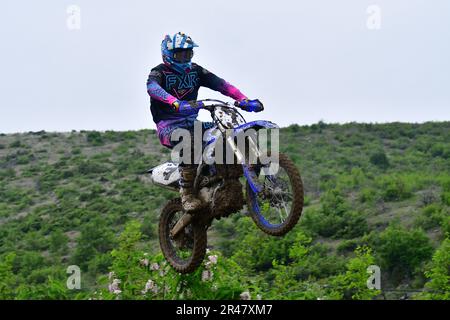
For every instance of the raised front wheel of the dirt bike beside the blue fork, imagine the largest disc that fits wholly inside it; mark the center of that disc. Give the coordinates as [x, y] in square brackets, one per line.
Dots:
[278, 207]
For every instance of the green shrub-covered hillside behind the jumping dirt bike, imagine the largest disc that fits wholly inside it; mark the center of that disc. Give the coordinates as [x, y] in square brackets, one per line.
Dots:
[375, 194]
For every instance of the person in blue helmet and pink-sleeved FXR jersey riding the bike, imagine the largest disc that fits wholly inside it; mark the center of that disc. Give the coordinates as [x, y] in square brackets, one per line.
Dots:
[171, 85]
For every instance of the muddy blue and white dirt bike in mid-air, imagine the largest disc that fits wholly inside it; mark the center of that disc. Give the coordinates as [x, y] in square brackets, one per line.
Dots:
[274, 201]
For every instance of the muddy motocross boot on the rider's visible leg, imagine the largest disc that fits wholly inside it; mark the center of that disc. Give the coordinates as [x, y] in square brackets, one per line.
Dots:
[189, 201]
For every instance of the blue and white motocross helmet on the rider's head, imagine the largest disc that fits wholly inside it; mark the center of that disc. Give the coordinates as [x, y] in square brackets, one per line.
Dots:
[177, 52]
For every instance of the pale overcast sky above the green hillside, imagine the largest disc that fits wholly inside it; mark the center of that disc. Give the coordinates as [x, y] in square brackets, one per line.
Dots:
[306, 60]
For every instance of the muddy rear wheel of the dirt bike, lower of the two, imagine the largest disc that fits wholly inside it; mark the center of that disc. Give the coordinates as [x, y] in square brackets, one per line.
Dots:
[187, 250]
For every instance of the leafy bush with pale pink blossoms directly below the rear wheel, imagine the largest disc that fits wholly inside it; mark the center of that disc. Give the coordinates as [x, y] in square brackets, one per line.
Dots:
[138, 275]
